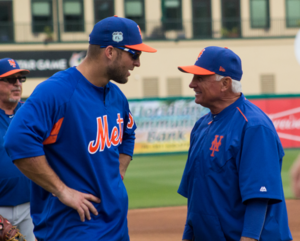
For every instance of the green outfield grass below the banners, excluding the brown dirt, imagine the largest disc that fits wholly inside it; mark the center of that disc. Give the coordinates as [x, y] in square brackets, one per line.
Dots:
[152, 181]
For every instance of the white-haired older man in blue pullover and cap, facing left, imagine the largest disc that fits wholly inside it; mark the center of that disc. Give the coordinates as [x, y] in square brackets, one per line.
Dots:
[232, 176]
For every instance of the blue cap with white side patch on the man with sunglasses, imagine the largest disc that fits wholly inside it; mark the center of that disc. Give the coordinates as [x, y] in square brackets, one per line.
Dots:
[119, 32]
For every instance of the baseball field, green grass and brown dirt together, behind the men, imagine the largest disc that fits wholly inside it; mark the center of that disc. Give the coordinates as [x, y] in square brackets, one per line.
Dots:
[157, 212]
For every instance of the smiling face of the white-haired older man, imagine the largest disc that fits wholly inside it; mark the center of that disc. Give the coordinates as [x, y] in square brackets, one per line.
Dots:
[207, 90]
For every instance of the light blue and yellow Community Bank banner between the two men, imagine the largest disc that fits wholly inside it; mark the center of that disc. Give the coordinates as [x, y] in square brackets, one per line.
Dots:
[164, 125]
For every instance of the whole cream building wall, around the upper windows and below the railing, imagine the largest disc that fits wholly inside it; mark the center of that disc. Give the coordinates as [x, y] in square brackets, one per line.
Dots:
[259, 56]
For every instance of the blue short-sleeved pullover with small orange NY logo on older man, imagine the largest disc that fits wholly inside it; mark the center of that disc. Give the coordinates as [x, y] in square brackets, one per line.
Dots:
[234, 157]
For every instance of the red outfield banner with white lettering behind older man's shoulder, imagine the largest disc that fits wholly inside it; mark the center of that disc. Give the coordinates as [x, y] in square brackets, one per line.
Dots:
[285, 114]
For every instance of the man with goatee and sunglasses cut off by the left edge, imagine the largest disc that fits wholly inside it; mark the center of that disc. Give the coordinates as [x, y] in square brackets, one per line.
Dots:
[14, 186]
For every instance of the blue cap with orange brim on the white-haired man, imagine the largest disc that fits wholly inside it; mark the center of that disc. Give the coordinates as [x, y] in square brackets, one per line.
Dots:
[216, 60]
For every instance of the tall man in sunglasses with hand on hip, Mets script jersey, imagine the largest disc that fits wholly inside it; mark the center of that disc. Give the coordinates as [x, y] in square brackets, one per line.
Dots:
[74, 138]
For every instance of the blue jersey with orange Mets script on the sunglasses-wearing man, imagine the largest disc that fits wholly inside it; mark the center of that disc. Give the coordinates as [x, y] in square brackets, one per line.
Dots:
[81, 129]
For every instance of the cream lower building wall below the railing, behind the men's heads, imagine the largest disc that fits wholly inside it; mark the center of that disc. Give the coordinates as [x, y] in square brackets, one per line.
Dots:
[263, 56]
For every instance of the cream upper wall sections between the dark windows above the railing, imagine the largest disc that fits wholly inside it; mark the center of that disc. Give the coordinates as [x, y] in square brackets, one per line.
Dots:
[23, 31]
